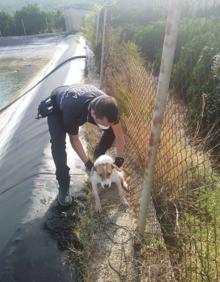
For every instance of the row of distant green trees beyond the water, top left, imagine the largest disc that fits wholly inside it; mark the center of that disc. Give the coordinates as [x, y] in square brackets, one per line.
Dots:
[31, 20]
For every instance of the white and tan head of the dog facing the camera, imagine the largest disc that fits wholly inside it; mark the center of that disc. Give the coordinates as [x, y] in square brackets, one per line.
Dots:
[104, 167]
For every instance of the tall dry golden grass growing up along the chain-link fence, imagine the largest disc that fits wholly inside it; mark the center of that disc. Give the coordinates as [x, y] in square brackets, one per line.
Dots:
[183, 173]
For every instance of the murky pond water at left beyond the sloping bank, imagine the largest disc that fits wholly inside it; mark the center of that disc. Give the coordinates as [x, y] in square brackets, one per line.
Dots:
[21, 58]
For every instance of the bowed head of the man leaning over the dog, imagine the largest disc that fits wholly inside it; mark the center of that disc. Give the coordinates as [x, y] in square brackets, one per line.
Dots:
[105, 111]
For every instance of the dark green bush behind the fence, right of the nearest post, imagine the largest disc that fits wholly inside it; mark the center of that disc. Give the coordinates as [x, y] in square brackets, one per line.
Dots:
[193, 76]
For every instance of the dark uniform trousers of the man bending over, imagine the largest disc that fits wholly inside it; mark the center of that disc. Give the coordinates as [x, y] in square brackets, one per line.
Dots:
[58, 147]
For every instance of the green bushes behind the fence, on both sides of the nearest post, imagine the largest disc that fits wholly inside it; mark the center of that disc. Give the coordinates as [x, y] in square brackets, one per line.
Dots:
[196, 75]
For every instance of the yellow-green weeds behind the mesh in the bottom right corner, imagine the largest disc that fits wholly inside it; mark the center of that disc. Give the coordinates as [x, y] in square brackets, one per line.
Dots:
[200, 225]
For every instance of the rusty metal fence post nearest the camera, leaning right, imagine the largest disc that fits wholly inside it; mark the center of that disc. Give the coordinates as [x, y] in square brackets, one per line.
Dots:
[161, 98]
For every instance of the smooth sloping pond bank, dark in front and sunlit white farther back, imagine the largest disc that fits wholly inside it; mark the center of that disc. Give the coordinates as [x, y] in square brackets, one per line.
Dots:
[27, 184]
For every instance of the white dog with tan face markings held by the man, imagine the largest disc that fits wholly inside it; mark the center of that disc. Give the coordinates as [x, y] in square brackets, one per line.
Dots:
[103, 174]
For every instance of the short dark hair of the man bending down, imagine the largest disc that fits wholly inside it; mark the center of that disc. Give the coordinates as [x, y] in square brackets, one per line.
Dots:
[107, 107]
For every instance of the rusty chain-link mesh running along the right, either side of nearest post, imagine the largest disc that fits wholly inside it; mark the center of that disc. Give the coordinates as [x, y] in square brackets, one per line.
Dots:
[182, 236]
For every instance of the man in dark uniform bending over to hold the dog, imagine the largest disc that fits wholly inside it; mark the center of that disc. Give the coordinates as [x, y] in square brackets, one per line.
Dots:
[76, 105]
